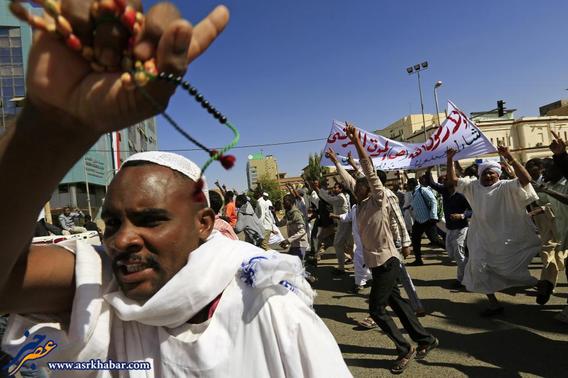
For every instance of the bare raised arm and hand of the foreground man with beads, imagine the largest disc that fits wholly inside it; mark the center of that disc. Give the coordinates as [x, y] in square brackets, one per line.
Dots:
[68, 108]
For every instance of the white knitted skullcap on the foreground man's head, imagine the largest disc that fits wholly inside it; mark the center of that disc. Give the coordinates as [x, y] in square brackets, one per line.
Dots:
[173, 161]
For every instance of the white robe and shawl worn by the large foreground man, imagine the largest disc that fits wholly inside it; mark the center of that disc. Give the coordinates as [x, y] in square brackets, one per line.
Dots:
[263, 326]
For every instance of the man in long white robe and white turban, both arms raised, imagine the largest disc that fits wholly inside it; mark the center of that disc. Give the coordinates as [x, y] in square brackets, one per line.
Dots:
[501, 240]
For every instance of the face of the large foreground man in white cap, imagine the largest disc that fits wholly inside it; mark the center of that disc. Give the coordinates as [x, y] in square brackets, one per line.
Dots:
[152, 224]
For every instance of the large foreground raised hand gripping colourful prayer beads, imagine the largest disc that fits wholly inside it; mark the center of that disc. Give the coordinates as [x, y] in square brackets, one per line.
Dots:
[62, 84]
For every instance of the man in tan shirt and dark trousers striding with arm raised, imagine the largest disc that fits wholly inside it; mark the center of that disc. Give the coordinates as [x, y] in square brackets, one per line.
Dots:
[382, 257]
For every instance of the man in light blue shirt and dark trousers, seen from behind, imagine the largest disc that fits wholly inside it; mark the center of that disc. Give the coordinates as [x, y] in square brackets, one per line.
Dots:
[425, 214]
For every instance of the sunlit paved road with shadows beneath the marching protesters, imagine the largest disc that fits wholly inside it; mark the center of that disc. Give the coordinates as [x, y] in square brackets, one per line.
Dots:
[525, 341]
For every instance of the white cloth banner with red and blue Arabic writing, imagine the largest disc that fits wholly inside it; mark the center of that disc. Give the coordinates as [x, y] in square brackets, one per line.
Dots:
[457, 132]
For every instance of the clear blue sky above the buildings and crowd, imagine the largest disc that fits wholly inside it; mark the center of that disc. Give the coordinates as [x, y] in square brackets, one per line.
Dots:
[284, 70]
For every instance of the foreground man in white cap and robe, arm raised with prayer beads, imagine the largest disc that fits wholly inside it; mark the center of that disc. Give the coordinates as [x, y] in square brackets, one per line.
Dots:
[166, 294]
